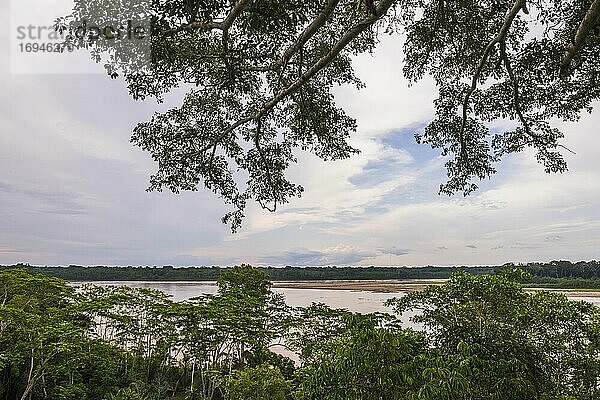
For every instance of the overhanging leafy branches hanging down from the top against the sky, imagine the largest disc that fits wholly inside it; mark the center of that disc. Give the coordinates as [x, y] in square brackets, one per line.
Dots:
[260, 76]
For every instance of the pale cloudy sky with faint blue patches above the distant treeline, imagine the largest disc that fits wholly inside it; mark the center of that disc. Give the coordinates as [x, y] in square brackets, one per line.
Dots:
[72, 186]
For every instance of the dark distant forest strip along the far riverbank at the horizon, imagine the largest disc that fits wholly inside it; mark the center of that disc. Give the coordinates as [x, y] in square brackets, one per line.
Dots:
[563, 274]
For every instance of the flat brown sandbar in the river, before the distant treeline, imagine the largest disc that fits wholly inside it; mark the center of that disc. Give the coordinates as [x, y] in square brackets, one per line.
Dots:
[395, 286]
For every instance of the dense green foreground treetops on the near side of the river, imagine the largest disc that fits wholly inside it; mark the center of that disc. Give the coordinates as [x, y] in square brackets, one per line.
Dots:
[484, 338]
